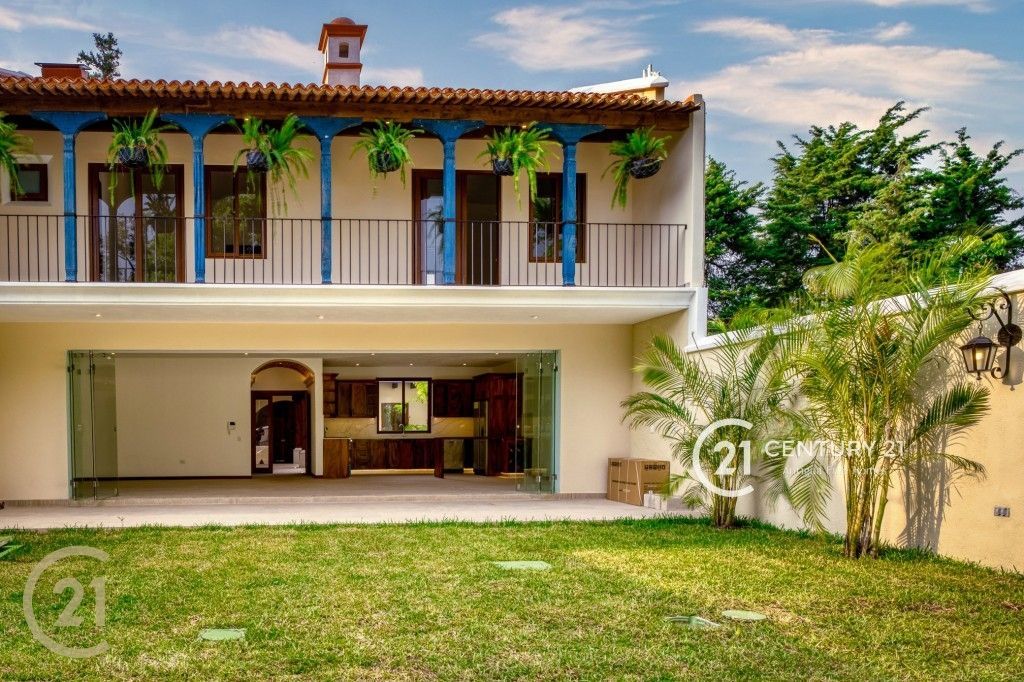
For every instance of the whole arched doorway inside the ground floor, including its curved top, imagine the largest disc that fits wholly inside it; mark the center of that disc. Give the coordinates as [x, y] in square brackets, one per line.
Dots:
[282, 418]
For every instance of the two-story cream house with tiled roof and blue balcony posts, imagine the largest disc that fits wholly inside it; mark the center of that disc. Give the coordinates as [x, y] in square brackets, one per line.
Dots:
[366, 327]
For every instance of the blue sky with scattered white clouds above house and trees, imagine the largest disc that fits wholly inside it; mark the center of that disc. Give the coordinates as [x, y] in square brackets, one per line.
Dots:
[769, 69]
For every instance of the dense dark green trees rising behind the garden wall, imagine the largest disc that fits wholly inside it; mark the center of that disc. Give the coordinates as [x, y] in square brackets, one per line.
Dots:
[842, 180]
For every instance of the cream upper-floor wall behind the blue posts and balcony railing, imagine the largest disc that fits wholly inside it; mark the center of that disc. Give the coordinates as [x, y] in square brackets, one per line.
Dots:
[615, 255]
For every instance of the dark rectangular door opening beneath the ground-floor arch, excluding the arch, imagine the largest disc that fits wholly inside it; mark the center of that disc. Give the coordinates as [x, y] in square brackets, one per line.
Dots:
[281, 433]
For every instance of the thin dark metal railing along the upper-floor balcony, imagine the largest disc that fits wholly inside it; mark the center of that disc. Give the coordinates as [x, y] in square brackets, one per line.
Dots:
[347, 252]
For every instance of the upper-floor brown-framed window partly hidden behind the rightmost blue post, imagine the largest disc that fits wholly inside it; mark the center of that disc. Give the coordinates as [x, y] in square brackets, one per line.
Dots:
[546, 217]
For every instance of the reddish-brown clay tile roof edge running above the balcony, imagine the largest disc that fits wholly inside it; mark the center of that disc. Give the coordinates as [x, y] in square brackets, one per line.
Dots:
[51, 93]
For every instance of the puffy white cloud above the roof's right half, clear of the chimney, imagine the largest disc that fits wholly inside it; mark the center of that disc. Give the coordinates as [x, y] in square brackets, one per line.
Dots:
[539, 38]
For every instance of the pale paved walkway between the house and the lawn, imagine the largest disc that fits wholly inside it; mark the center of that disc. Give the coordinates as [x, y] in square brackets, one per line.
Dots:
[366, 511]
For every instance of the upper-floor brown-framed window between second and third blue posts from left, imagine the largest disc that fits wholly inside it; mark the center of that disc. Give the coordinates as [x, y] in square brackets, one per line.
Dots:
[236, 211]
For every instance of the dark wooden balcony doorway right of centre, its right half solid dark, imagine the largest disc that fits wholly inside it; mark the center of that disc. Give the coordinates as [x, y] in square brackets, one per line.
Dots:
[478, 228]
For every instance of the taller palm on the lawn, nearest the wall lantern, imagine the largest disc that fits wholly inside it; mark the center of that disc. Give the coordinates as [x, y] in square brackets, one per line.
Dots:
[878, 369]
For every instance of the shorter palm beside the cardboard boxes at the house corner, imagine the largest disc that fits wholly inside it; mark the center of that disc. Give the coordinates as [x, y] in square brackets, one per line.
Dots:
[747, 378]
